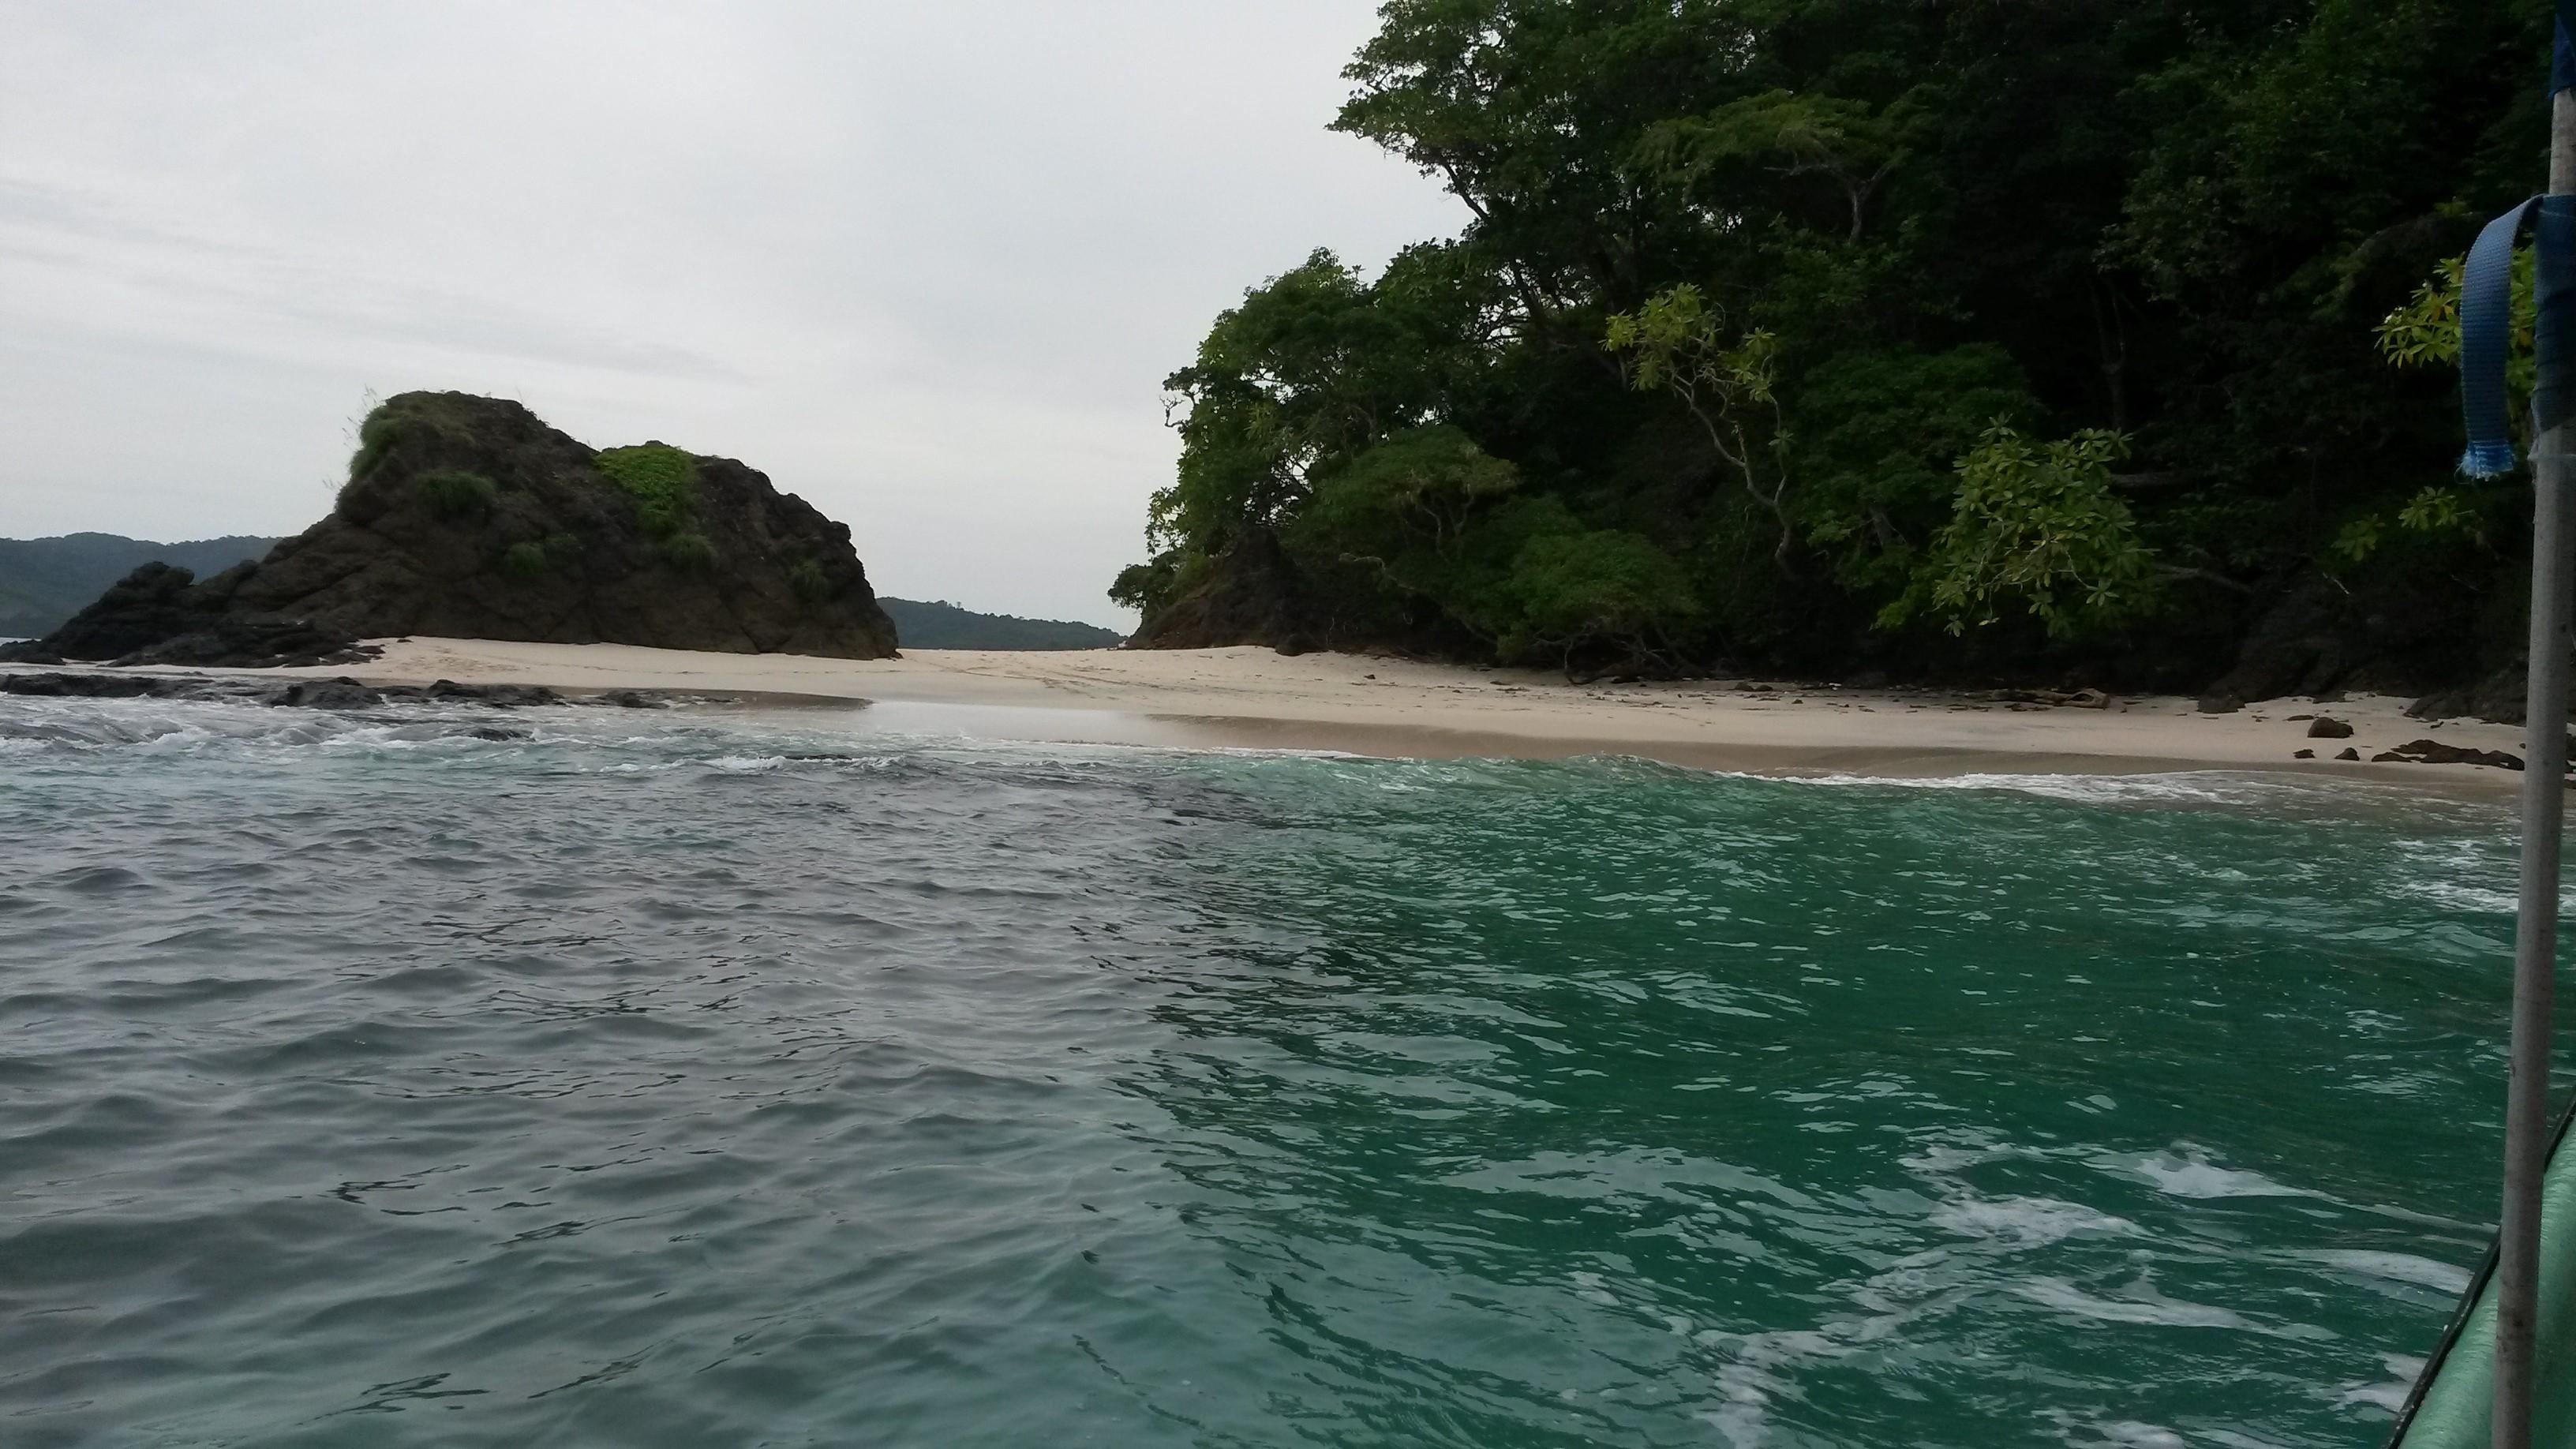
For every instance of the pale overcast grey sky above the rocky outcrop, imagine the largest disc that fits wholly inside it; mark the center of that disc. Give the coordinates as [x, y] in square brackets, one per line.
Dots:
[926, 264]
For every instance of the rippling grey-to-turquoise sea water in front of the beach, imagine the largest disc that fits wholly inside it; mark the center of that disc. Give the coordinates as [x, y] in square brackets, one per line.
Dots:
[725, 1079]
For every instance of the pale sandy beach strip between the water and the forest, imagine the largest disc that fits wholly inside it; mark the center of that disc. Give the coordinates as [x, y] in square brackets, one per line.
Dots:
[1251, 697]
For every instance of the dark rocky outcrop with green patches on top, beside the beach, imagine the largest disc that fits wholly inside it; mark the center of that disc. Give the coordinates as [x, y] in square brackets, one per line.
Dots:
[470, 517]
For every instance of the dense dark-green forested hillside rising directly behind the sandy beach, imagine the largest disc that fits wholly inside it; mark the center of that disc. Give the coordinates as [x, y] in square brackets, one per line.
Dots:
[1944, 339]
